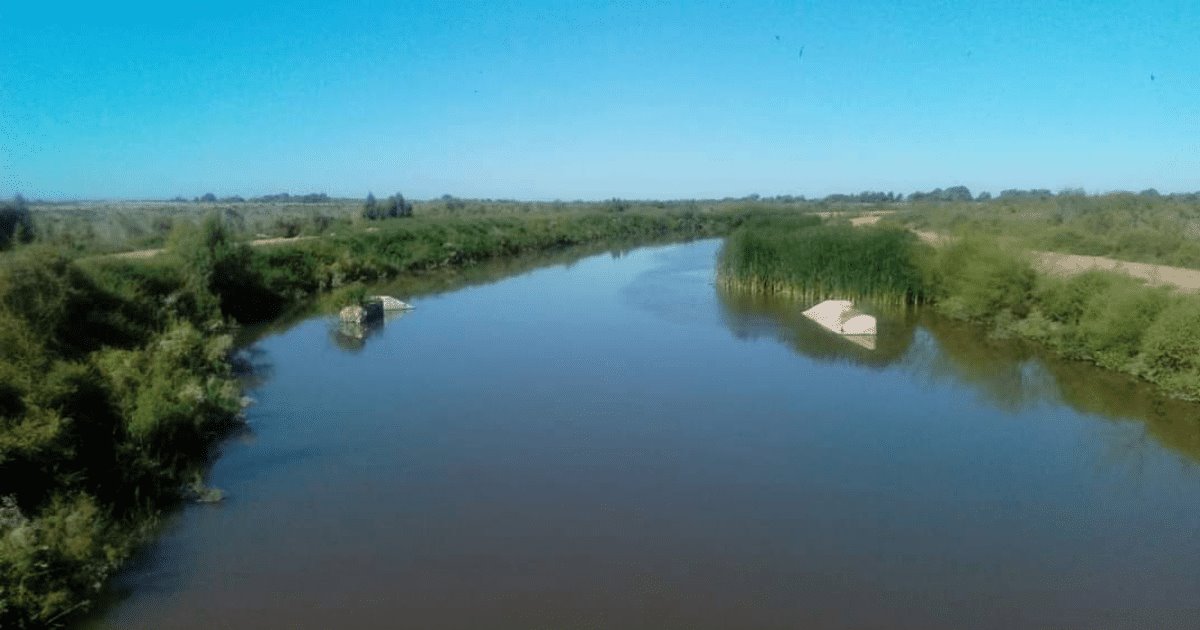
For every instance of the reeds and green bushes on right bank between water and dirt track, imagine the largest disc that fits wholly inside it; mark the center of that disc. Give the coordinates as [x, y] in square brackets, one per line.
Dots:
[1105, 319]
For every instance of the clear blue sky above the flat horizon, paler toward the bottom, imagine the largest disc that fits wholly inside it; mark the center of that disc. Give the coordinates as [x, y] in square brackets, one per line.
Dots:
[596, 100]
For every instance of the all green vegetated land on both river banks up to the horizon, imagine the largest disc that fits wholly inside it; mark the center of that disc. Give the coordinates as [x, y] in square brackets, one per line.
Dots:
[117, 379]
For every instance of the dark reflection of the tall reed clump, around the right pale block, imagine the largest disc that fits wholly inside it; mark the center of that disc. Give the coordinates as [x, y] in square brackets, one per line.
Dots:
[751, 317]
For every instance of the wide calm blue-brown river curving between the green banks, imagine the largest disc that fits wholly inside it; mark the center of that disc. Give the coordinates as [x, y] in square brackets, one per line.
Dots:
[614, 443]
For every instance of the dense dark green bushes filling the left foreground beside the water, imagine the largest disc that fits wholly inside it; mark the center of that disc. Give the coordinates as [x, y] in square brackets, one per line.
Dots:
[107, 401]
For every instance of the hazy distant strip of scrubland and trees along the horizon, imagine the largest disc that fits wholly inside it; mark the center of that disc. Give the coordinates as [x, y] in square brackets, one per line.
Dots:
[118, 226]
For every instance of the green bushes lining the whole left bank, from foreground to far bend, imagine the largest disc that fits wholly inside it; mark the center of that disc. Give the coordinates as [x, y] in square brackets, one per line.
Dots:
[117, 375]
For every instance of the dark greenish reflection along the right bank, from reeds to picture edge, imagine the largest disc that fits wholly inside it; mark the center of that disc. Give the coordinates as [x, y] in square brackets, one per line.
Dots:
[1010, 374]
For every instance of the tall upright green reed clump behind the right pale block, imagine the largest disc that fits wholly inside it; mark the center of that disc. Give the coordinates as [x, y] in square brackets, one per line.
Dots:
[801, 257]
